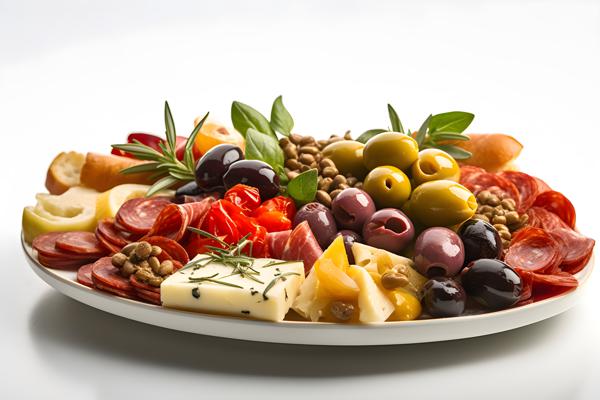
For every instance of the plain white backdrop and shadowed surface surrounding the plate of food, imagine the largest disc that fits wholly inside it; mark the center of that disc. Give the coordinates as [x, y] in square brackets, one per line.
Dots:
[81, 75]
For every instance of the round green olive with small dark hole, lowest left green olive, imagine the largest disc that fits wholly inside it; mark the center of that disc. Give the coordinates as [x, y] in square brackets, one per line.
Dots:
[388, 186]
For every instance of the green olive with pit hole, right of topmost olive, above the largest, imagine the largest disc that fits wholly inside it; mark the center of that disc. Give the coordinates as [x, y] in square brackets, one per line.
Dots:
[433, 165]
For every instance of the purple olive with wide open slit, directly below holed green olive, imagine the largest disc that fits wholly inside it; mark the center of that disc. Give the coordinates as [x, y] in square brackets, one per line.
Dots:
[389, 229]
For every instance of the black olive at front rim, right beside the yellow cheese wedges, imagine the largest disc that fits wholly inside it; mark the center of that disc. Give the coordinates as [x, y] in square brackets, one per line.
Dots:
[443, 297]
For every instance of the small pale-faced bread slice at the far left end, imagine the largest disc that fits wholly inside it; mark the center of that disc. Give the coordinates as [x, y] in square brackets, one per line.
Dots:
[64, 172]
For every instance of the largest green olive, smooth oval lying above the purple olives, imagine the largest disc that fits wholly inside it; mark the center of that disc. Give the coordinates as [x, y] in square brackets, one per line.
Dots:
[441, 203]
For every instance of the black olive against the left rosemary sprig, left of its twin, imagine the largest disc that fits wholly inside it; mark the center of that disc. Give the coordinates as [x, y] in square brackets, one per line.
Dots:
[211, 167]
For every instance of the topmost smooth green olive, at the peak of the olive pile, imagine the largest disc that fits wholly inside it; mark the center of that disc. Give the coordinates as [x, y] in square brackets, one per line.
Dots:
[390, 148]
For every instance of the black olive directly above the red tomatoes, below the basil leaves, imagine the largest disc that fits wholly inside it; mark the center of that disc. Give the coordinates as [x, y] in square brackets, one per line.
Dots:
[253, 173]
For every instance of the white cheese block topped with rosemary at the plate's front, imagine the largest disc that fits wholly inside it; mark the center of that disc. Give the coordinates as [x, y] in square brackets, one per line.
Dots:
[216, 289]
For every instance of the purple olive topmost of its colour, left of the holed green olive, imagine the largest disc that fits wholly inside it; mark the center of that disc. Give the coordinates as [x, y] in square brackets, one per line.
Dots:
[351, 208]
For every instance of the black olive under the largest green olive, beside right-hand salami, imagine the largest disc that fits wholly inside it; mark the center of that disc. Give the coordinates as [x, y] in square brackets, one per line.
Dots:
[480, 239]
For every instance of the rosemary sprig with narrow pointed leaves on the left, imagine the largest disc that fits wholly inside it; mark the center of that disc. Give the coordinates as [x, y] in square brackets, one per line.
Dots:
[169, 170]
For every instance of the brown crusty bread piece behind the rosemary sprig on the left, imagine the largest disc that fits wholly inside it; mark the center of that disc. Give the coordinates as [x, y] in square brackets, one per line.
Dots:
[102, 172]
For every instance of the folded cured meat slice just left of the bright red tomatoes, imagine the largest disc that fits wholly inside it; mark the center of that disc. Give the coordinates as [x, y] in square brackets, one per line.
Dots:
[174, 219]
